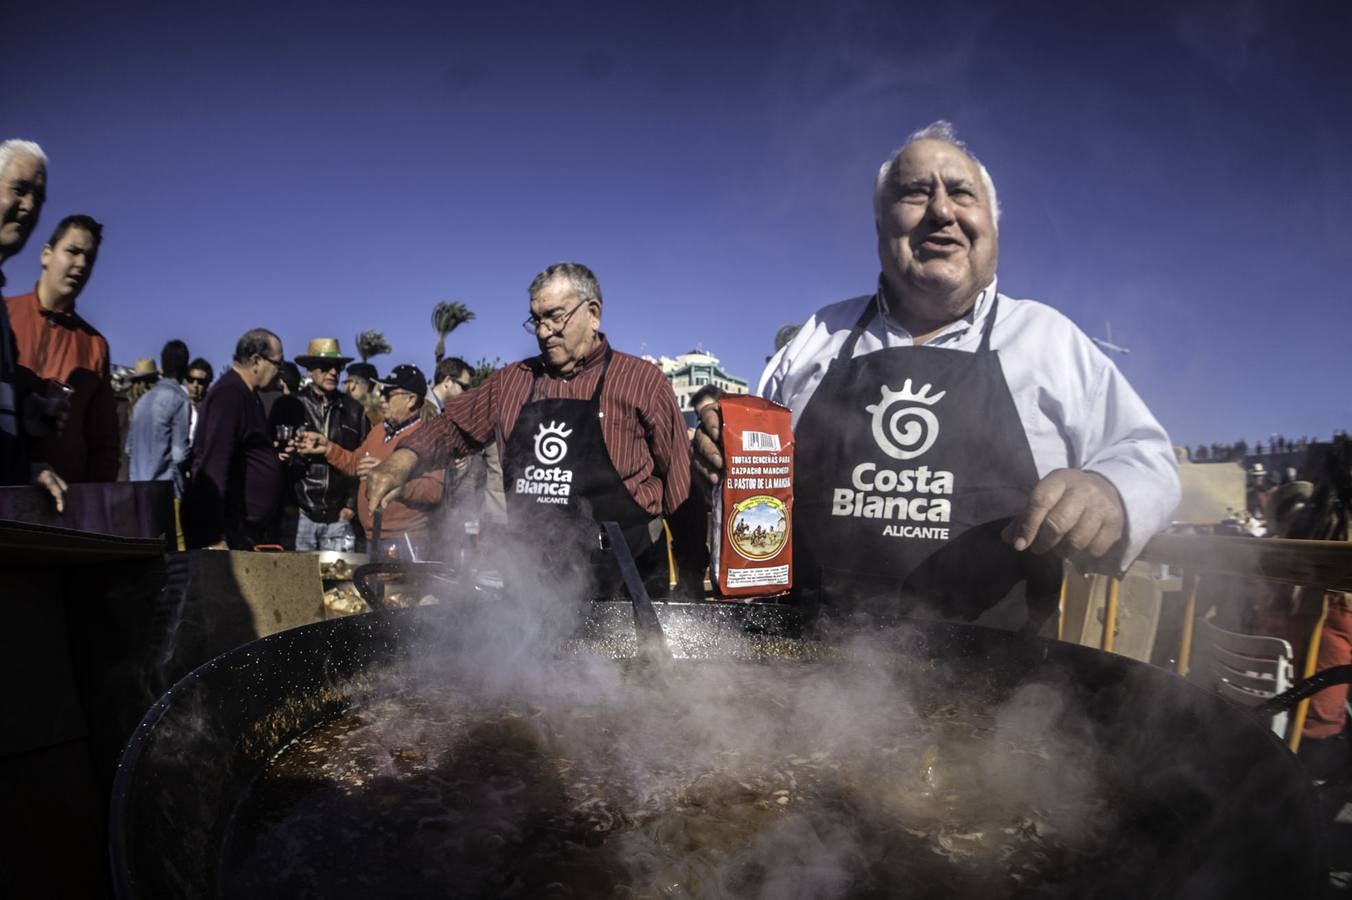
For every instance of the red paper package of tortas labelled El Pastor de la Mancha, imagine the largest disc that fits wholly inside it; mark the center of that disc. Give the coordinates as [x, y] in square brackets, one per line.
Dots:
[752, 521]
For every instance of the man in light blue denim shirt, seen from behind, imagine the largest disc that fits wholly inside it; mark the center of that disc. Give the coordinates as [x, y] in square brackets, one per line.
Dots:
[158, 437]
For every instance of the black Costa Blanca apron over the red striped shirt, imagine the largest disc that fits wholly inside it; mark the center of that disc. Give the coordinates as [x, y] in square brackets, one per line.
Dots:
[560, 482]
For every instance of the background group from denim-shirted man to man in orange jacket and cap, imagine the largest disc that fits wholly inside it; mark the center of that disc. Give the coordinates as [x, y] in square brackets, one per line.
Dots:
[271, 457]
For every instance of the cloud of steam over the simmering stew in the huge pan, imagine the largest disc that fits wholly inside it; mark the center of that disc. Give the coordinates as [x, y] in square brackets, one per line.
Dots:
[710, 779]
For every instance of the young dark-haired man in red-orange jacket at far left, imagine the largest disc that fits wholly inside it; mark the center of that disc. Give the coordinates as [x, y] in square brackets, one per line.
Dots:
[56, 343]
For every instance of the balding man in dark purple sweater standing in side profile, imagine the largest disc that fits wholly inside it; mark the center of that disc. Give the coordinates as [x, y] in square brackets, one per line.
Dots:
[236, 484]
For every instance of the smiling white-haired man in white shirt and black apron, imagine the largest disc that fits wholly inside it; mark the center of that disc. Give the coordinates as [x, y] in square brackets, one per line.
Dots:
[948, 436]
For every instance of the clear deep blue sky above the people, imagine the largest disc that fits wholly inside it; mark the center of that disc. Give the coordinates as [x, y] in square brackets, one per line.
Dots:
[1177, 170]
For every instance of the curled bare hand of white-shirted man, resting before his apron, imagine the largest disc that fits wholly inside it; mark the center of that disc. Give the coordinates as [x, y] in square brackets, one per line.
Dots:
[1078, 514]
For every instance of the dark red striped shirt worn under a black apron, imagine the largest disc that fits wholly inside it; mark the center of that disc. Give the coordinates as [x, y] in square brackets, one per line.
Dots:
[643, 428]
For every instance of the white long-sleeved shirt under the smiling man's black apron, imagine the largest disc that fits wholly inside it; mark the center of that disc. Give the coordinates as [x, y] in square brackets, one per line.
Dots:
[1077, 409]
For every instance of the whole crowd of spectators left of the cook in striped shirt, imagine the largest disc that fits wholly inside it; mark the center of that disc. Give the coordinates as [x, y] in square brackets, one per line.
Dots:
[237, 483]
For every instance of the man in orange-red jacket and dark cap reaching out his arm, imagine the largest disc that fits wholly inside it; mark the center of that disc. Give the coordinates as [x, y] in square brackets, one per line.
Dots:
[406, 520]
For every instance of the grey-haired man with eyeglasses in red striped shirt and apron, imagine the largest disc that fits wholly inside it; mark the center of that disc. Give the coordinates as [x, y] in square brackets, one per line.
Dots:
[583, 429]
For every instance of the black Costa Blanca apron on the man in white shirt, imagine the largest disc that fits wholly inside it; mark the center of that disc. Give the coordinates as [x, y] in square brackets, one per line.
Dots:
[913, 460]
